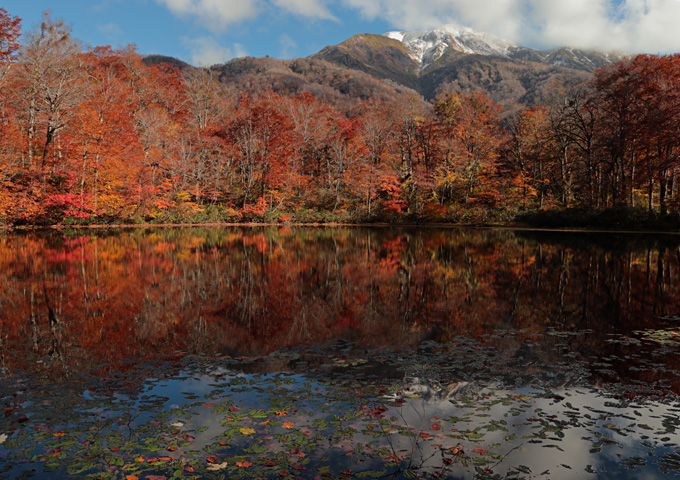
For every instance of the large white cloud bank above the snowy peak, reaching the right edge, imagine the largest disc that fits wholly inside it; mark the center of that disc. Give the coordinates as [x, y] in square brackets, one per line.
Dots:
[627, 25]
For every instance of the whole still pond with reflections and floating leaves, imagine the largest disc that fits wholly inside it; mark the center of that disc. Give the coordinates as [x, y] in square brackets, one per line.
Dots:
[339, 353]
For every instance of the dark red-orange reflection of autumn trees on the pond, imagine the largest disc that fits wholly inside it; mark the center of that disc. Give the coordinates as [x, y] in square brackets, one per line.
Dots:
[253, 291]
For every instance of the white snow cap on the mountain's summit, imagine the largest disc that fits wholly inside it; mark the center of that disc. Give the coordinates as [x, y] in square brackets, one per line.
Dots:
[428, 47]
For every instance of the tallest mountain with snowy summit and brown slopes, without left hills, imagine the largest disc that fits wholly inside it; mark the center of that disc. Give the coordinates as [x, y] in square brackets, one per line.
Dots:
[455, 58]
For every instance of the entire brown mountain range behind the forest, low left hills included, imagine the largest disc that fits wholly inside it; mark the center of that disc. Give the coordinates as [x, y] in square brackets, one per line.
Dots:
[383, 67]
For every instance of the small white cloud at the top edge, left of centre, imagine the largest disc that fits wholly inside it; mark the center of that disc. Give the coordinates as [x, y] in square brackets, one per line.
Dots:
[216, 15]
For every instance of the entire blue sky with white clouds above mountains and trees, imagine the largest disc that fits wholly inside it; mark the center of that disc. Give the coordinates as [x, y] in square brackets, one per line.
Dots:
[206, 32]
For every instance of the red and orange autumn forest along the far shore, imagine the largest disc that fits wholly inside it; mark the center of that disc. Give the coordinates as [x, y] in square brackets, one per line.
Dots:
[96, 136]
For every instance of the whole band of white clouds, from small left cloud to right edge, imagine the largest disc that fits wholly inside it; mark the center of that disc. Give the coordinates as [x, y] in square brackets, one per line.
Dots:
[626, 25]
